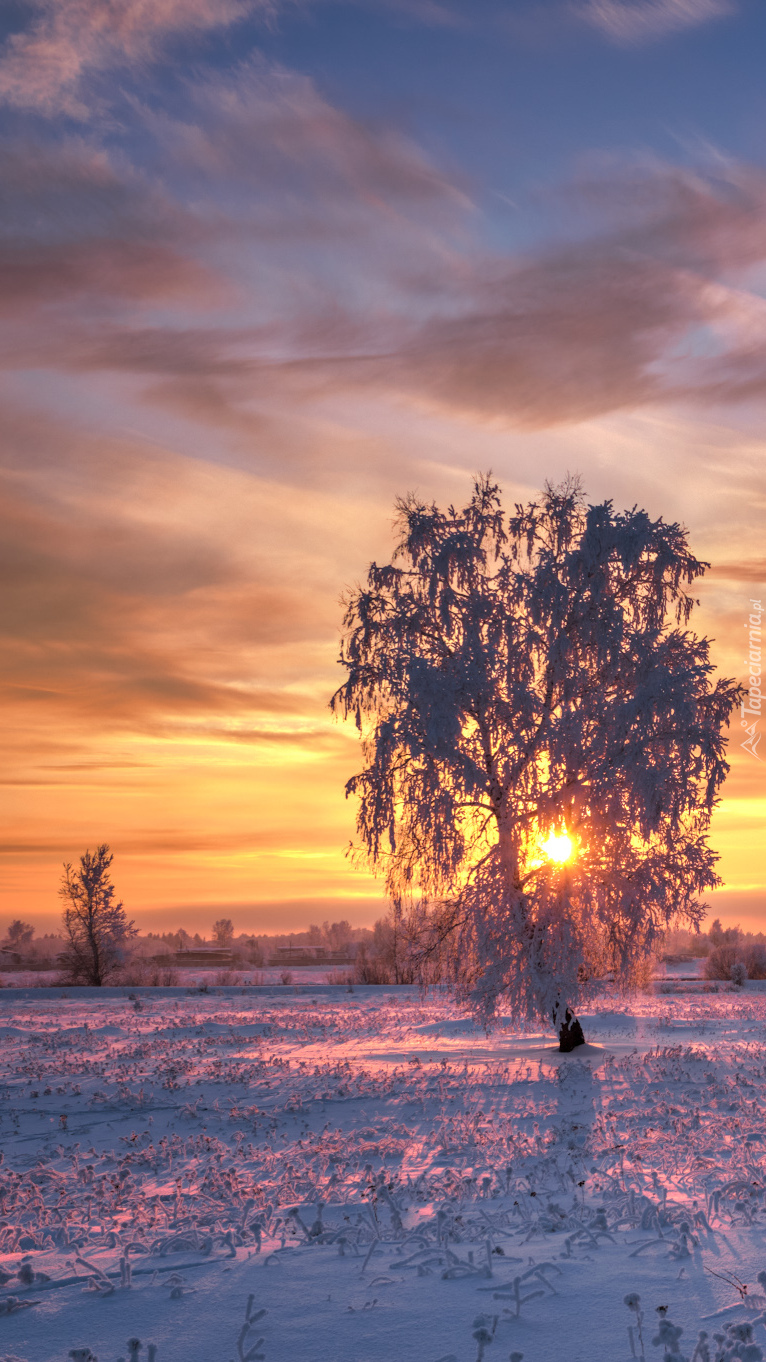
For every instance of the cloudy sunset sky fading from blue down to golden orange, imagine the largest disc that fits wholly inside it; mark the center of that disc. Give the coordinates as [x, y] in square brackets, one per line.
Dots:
[268, 265]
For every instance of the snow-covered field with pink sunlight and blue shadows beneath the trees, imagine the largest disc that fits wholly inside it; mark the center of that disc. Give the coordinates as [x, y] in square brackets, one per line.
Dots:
[380, 1176]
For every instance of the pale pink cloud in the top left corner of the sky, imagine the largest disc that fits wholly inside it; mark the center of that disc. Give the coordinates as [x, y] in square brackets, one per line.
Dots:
[44, 66]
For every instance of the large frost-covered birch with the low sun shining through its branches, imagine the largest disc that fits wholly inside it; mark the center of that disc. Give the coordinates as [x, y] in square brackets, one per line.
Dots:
[543, 742]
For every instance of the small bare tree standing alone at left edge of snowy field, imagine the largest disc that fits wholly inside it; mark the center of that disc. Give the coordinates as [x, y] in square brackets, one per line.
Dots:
[96, 927]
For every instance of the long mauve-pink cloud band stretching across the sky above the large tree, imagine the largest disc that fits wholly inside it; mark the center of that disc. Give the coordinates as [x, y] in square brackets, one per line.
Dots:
[652, 304]
